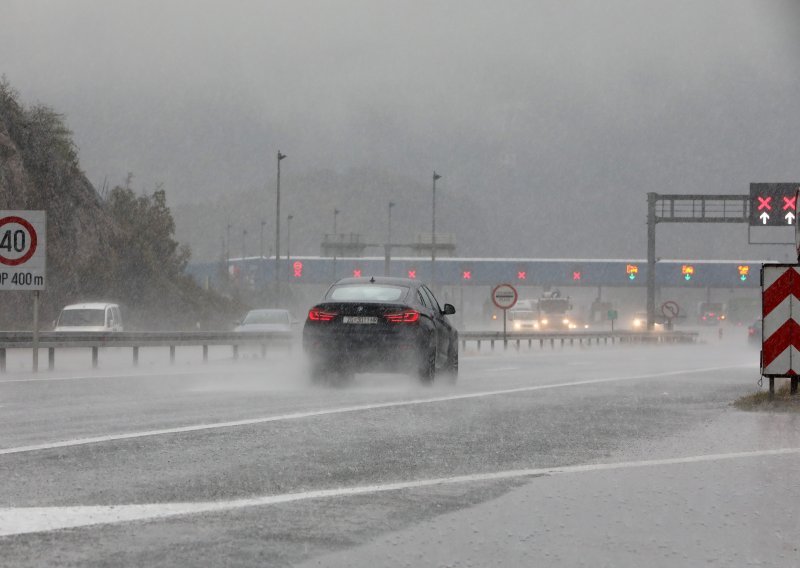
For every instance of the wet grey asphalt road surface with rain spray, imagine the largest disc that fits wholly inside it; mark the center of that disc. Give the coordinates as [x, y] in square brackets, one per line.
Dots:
[601, 456]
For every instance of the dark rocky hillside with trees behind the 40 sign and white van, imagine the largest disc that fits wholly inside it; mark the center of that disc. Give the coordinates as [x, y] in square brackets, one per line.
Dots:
[117, 247]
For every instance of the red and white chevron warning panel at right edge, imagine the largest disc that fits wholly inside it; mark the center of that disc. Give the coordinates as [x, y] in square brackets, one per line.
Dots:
[780, 304]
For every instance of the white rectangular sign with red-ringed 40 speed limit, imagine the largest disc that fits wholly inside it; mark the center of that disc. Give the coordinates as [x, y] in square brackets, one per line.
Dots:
[22, 250]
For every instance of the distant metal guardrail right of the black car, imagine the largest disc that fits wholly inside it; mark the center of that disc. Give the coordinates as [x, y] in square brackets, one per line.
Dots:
[572, 338]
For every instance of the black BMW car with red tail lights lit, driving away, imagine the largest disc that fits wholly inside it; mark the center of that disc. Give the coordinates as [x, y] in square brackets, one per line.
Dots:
[380, 324]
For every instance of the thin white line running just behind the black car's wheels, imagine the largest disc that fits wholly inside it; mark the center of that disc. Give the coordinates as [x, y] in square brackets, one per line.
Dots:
[341, 410]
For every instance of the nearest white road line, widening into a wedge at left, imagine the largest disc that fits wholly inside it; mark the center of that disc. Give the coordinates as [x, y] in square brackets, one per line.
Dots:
[24, 520]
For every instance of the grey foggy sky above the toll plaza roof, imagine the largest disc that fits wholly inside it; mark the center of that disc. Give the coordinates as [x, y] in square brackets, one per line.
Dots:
[548, 120]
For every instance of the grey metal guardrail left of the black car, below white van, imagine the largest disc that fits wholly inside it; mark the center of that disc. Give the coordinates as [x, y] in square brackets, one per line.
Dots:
[135, 340]
